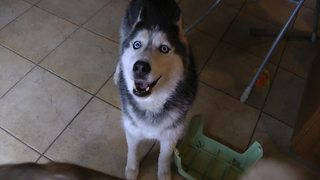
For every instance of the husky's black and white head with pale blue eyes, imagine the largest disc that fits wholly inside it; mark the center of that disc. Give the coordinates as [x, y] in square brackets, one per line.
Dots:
[154, 50]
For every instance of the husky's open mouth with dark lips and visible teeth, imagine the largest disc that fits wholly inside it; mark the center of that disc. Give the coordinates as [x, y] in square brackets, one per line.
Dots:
[143, 88]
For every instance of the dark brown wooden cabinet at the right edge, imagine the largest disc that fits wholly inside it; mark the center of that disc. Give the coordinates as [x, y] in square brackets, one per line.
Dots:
[306, 138]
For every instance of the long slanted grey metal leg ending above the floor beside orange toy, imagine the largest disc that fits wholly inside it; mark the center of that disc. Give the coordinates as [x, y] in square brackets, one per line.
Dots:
[249, 88]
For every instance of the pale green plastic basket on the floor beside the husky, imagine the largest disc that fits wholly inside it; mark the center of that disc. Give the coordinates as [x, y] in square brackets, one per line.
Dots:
[199, 157]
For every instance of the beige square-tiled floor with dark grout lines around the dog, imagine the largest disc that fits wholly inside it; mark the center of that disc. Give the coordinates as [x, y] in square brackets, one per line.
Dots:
[58, 101]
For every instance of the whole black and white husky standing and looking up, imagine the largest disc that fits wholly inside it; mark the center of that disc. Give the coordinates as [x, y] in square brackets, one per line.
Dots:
[156, 78]
